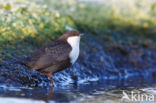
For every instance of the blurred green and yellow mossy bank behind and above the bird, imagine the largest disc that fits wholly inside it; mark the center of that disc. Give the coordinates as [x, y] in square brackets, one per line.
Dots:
[26, 25]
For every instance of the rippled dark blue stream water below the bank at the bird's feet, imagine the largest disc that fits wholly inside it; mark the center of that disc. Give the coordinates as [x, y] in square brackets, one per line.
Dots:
[110, 90]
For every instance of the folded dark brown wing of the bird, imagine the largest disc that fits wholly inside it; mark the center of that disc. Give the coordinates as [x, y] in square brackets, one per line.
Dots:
[49, 55]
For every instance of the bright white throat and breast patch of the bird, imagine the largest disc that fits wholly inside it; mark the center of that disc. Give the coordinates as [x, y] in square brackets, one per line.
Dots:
[74, 42]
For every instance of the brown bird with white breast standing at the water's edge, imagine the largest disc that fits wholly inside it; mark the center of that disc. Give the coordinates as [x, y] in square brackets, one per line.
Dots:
[56, 55]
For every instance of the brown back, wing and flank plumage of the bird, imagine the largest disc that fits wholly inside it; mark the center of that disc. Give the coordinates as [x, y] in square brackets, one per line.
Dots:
[54, 55]
